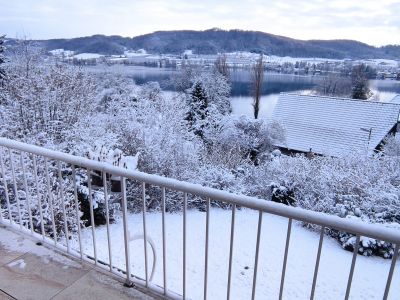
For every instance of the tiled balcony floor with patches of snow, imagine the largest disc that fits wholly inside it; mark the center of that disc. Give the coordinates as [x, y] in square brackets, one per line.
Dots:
[29, 271]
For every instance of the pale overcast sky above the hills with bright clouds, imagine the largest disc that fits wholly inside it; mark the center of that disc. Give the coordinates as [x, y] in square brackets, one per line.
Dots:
[375, 22]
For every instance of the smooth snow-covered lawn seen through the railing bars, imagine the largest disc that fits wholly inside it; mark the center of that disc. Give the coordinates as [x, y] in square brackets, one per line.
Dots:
[369, 277]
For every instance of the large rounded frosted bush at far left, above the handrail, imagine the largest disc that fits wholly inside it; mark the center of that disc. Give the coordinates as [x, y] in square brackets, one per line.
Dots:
[44, 103]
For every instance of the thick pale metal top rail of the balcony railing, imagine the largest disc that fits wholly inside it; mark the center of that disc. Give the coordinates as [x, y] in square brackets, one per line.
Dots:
[322, 219]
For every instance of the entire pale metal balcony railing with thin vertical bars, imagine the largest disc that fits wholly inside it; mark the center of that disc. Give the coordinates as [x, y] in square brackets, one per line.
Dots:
[262, 206]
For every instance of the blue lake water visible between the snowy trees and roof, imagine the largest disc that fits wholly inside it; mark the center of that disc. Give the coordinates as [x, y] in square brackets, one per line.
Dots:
[240, 81]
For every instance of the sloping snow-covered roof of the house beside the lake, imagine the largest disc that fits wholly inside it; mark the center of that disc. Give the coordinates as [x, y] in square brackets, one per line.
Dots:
[333, 126]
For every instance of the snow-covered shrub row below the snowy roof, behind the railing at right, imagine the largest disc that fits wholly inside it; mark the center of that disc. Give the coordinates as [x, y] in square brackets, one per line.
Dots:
[354, 186]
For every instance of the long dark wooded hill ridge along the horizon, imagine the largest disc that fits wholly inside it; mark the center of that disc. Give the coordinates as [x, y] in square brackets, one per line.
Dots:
[217, 41]
